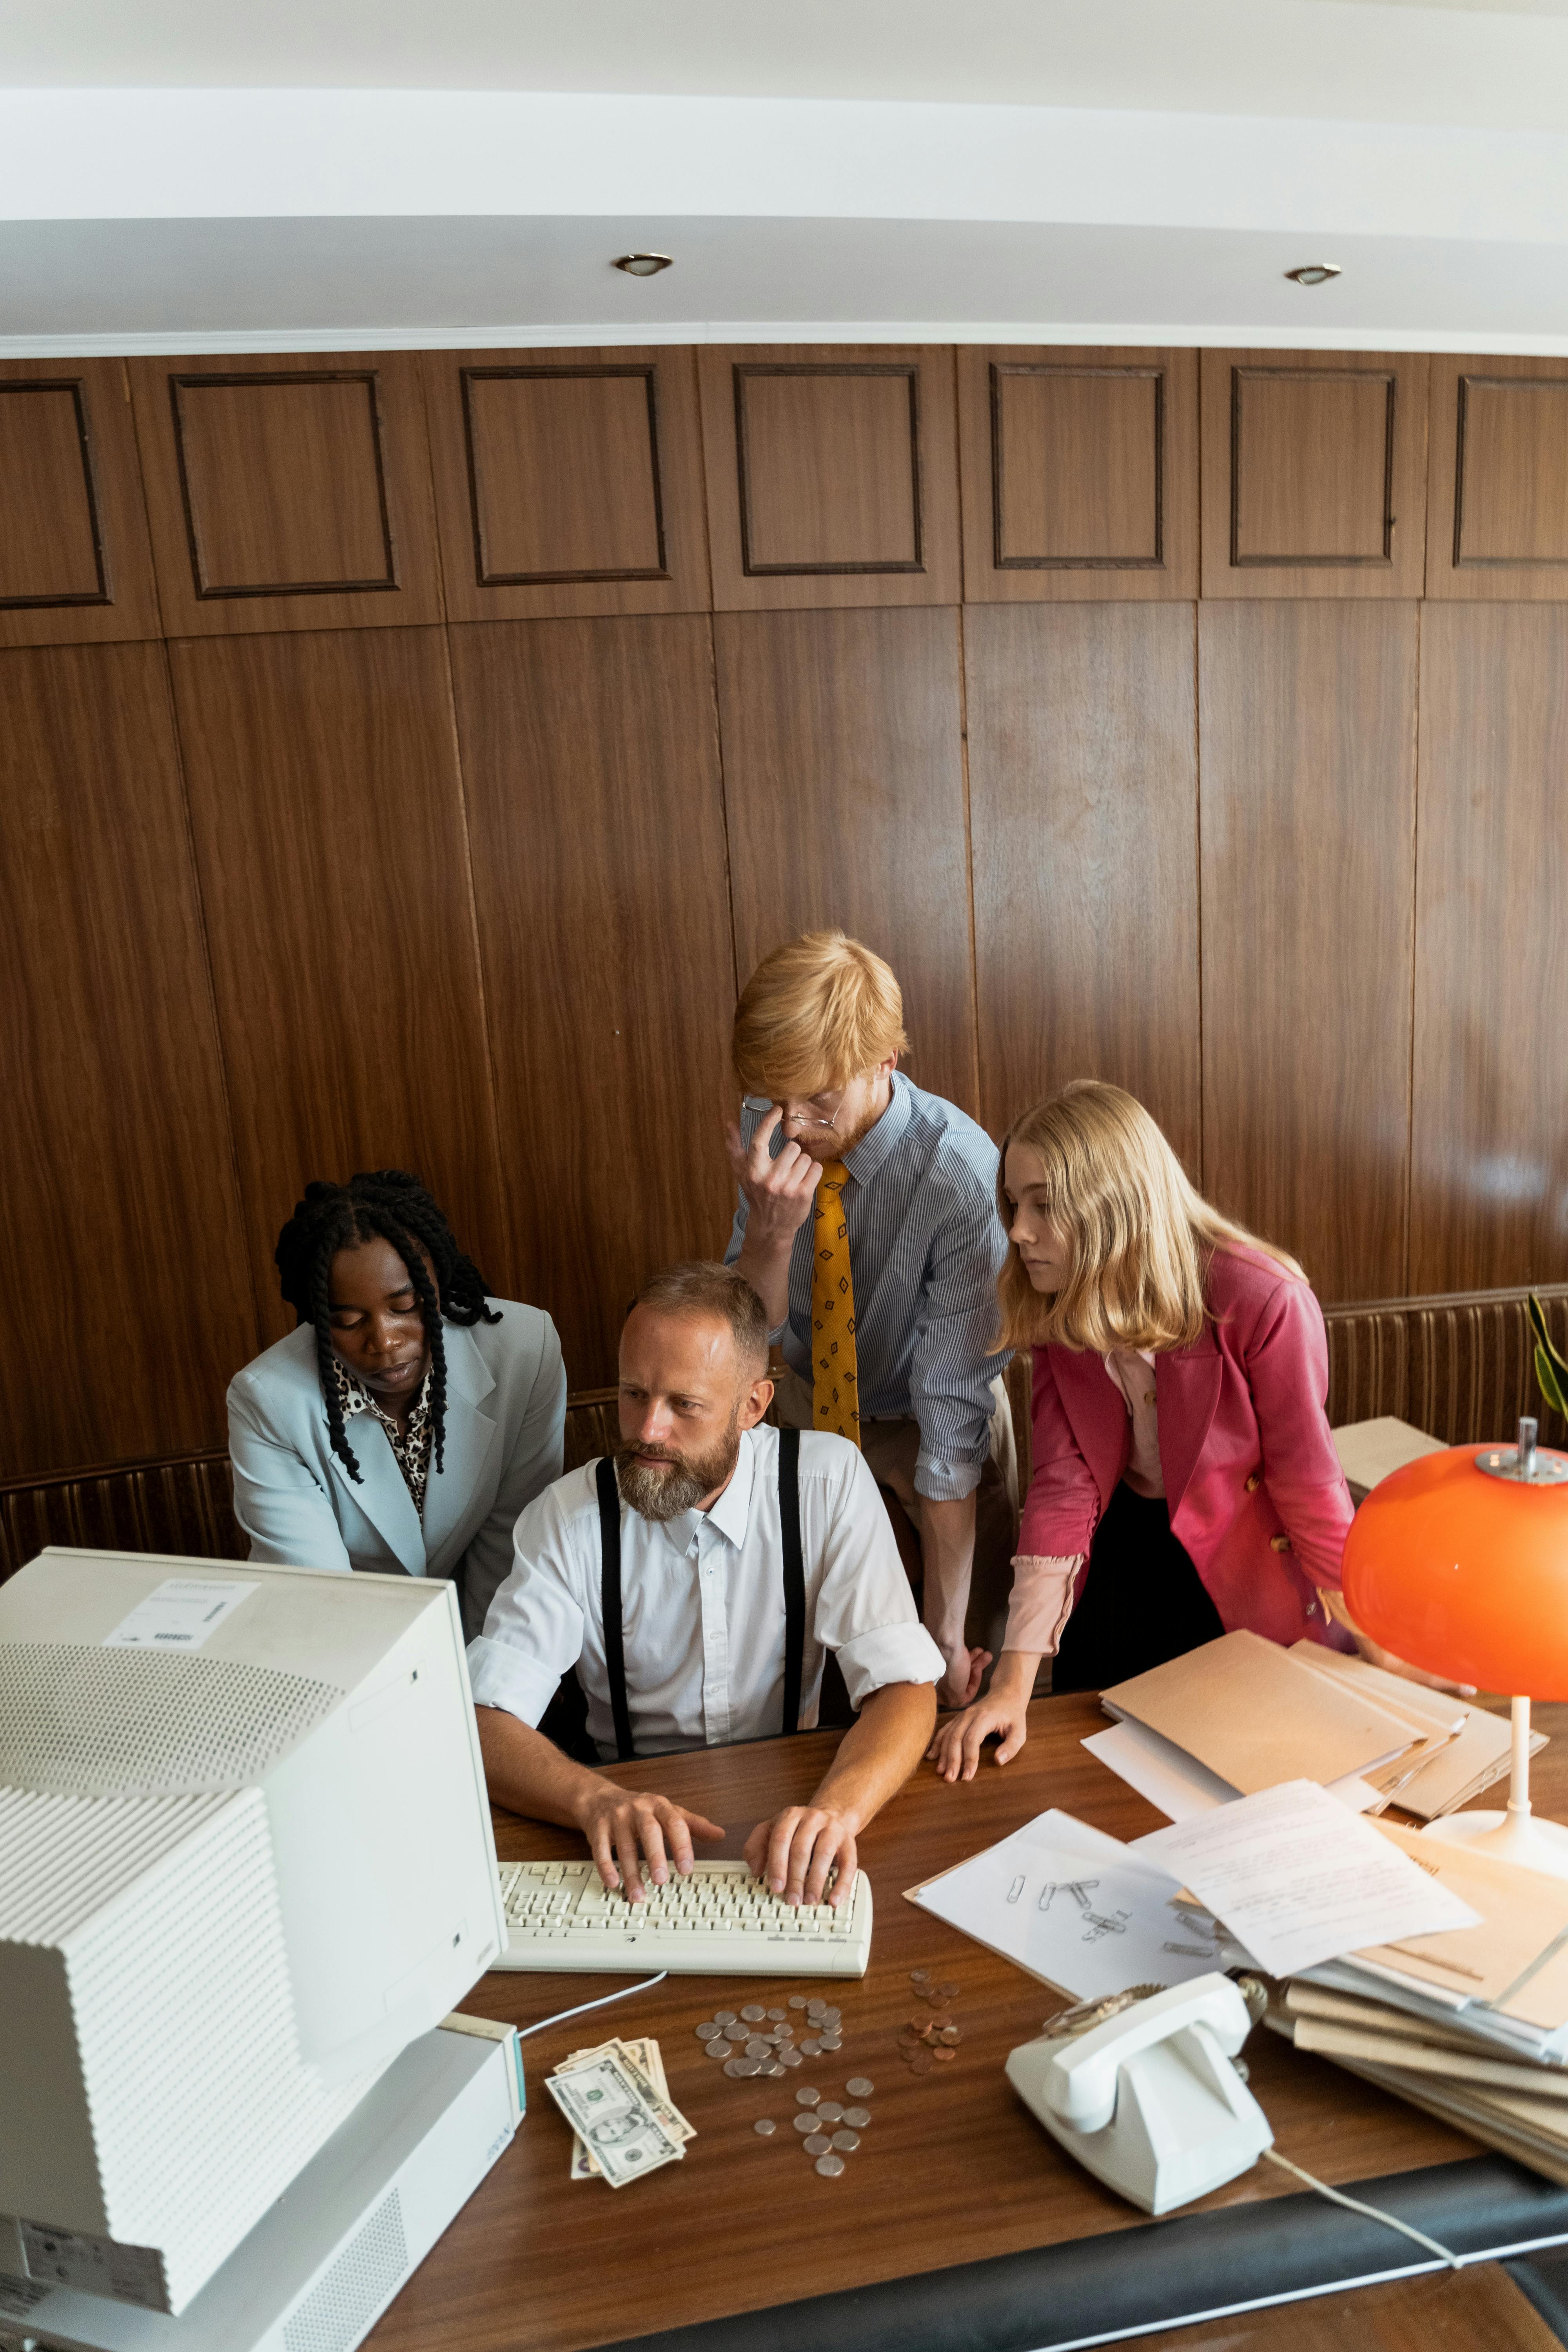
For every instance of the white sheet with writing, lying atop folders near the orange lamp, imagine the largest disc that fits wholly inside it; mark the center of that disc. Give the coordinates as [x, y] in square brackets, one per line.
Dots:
[1299, 1880]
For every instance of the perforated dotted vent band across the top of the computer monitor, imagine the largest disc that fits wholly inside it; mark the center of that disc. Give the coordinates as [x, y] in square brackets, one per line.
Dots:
[114, 1723]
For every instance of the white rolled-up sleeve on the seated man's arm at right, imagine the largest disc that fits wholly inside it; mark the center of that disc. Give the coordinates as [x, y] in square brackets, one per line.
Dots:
[864, 1605]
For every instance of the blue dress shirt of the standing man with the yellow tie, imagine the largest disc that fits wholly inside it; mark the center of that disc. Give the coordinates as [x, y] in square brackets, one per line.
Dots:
[925, 1250]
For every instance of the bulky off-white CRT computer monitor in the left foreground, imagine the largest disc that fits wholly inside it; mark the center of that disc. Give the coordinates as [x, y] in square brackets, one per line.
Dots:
[246, 1859]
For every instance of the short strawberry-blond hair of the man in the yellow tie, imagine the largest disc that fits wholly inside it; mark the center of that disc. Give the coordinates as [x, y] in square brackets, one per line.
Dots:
[815, 1015]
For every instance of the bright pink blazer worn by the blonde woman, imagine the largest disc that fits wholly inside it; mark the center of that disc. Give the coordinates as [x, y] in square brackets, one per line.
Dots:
[1254, 1483]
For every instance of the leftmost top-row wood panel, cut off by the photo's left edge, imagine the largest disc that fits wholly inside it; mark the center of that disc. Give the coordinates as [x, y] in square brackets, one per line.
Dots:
[76, 566]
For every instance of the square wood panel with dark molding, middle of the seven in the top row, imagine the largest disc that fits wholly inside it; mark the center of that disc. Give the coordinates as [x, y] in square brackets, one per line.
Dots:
[831, 476]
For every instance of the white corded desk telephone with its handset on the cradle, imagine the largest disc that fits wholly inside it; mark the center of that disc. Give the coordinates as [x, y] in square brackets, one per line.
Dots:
[1151, 2102]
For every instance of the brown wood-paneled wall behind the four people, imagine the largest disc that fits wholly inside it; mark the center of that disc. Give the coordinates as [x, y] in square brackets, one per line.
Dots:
[406, 756]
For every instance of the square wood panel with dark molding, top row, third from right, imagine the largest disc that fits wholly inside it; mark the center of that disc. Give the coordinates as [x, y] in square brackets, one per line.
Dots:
[1080, 476]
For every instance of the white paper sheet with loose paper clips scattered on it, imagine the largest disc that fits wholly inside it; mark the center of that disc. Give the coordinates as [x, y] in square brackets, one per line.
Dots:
[1078, 1911]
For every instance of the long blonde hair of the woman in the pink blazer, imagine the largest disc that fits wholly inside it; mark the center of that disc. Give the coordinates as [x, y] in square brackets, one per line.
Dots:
[1139, 1236]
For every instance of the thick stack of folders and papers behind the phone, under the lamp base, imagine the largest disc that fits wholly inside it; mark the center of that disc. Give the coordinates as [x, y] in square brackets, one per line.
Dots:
[1468, 2026]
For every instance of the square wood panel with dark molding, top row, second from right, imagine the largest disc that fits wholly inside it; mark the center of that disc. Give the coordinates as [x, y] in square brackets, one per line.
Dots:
[1313, 474]
